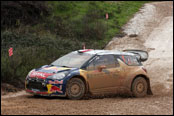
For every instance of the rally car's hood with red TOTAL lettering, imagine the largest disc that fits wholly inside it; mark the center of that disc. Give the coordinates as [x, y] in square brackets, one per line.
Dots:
[46, 71]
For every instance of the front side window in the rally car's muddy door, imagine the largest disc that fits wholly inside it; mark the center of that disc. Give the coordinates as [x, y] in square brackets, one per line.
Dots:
[108, 60]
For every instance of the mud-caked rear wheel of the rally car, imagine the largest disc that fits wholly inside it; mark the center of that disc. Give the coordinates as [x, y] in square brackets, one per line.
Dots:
[139, 87]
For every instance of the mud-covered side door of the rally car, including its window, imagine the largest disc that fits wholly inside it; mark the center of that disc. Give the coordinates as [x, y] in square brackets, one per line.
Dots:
[105, 80]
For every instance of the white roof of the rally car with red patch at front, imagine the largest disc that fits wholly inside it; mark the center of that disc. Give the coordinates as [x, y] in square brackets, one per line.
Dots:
[103, 52]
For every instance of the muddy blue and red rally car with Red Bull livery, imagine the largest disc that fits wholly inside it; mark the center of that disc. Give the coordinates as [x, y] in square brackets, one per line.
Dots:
[92, 72]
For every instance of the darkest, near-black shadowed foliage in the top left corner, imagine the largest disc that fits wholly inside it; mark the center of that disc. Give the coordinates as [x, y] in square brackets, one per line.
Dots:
[13, 13]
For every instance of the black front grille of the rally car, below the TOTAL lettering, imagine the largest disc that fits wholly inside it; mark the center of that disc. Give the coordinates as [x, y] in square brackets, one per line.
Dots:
[36, 83]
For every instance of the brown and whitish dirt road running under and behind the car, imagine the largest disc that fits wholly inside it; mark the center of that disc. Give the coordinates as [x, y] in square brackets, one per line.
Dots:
[154, 27]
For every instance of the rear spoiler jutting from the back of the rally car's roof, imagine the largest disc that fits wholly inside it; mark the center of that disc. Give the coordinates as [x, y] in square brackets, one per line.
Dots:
[140, 54]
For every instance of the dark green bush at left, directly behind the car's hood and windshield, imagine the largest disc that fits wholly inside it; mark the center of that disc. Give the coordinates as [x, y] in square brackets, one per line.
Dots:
[30, 54]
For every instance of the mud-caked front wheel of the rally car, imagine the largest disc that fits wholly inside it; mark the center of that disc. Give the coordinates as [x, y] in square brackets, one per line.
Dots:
[75, 89]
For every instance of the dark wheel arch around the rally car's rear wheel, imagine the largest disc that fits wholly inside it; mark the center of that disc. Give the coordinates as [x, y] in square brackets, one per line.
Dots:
[149, 92]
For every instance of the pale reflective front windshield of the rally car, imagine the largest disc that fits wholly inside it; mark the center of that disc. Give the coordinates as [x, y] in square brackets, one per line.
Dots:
[73, 59]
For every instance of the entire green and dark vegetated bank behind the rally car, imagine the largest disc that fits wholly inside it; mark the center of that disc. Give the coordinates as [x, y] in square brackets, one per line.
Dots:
[40, 32]
